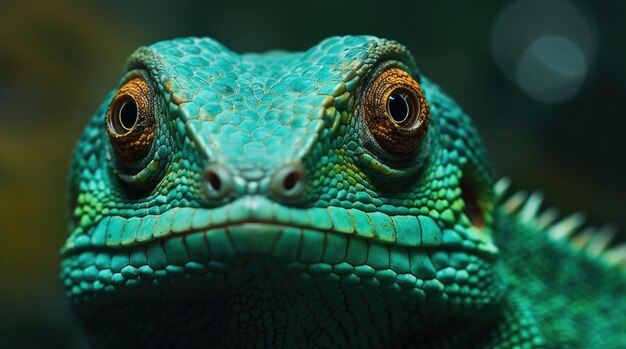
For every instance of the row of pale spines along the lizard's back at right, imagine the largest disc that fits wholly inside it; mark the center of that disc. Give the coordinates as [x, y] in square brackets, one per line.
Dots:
[594, 242]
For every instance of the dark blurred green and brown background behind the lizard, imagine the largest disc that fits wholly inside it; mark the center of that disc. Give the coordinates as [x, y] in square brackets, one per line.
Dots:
[545, 82]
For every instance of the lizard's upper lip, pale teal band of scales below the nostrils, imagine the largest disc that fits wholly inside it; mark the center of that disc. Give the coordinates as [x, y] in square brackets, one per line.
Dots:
[253, 218]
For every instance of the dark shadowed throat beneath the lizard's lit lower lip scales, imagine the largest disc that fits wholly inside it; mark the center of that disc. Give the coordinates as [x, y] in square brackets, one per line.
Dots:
[265, 308]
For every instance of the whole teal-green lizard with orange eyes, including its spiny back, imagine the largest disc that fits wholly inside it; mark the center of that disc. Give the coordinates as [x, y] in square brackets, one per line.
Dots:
[334, 197]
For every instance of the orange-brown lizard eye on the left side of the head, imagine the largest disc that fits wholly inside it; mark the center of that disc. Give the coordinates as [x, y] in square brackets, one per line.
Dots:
[130, 120]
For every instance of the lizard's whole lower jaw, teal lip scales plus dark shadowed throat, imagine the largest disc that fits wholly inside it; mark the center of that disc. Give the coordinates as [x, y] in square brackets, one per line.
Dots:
[256, 282]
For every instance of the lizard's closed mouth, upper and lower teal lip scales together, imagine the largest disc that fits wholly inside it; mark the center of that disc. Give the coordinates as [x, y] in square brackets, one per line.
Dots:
[253, 235]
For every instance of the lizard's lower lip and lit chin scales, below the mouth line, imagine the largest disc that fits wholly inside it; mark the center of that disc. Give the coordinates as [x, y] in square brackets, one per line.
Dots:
[230, 254]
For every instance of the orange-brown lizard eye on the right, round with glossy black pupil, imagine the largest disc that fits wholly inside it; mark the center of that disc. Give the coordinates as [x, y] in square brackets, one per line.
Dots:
[395, 111]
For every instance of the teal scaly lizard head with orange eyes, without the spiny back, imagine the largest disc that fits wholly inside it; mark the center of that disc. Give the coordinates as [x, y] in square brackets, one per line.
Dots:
[337, 172]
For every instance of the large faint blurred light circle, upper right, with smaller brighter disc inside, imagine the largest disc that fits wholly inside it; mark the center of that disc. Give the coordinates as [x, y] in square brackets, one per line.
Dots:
[545, 47]
